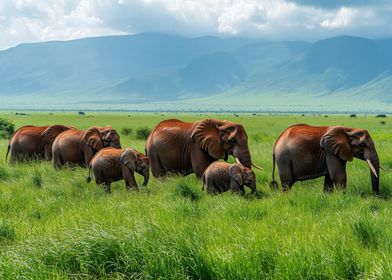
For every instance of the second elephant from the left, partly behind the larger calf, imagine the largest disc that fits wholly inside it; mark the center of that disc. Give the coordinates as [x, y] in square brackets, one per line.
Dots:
[77, 147]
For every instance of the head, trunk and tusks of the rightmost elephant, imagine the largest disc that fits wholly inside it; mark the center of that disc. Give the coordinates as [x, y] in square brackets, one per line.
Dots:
[347, 143]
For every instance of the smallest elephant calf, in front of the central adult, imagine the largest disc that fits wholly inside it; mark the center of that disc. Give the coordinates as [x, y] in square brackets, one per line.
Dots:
[222, 176]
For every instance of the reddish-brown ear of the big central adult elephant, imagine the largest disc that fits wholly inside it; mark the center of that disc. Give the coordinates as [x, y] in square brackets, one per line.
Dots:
[206, 135]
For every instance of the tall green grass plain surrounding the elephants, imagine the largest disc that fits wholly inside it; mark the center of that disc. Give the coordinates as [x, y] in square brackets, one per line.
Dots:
[54, 225]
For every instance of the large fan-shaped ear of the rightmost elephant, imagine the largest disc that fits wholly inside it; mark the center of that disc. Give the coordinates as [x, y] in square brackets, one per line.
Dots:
[336, 141]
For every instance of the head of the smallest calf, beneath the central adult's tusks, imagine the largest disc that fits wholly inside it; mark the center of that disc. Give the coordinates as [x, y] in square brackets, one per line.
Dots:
[240, 176]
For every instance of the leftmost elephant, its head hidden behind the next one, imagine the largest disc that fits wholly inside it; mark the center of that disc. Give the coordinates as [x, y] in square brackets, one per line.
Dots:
[33, 142]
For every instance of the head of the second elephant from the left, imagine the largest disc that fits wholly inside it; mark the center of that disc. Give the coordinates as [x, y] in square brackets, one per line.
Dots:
[99, 137]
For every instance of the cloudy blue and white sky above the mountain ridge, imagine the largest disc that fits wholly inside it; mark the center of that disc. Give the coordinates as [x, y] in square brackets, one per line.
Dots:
[23, 21]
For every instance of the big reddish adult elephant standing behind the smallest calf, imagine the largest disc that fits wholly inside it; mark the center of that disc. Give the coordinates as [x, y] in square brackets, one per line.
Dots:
[180, 147]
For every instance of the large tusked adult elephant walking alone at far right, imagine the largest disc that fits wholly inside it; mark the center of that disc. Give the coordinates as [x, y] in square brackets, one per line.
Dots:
[305, 152]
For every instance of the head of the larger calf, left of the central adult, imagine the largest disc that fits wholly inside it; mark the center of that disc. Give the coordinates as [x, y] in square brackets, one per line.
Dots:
[136, 162]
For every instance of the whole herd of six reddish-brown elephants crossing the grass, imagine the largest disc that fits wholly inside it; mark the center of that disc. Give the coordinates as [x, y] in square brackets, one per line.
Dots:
[301, 152]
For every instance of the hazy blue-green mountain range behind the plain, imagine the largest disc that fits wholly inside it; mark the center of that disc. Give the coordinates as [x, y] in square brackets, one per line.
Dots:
[140, 71]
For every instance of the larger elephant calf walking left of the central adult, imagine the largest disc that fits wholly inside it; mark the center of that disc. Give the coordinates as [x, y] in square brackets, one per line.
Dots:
[111, 164]
